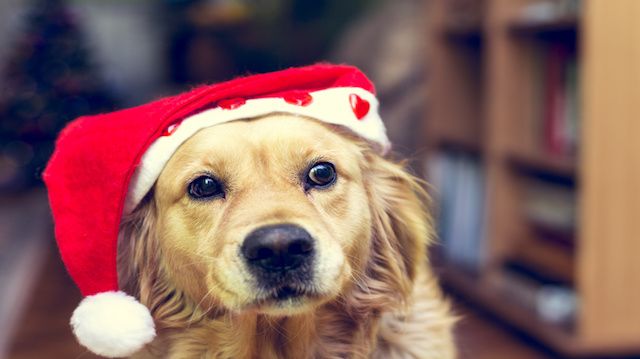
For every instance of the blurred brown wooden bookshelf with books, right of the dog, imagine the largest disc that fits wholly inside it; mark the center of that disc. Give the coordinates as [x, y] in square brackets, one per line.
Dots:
[532, 154]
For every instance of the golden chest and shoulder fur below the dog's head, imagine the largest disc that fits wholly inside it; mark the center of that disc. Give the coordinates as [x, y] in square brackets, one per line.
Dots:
[423, 331]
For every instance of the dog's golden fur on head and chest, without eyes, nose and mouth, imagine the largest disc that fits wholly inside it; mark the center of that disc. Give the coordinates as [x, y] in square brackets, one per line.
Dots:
[376, 295]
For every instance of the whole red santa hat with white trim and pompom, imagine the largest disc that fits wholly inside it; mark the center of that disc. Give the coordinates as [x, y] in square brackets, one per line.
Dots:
[104, 165]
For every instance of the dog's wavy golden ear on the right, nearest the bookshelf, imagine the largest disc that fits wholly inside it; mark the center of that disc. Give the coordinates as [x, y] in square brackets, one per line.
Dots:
[401, 231]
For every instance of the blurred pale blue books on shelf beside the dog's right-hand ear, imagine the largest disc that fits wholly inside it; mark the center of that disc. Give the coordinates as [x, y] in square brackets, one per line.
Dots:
[459, 182]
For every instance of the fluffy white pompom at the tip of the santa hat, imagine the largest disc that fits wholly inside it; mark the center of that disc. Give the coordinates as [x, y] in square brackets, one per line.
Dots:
[112, 324]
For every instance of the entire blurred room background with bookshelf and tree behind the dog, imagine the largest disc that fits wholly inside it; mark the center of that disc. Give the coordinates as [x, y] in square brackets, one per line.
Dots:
[522, 114]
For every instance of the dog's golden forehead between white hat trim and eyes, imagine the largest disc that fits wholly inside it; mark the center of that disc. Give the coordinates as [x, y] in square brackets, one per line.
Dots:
[278, 146]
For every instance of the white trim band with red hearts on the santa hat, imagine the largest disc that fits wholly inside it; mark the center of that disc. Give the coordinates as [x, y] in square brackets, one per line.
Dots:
[330, 105]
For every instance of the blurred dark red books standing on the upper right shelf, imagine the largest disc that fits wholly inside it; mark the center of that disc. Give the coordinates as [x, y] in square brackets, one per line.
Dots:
[556, 98]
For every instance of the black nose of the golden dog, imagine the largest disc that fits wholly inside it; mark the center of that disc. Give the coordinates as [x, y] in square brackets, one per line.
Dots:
[278, 247]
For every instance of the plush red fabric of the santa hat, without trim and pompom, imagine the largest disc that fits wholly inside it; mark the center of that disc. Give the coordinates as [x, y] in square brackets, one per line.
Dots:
[89, 172]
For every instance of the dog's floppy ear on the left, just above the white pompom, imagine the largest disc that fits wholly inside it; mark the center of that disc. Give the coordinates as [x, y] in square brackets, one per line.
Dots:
[140, 273]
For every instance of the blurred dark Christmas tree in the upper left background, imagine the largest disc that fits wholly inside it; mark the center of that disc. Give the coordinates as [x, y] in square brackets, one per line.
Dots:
[48, 80]
